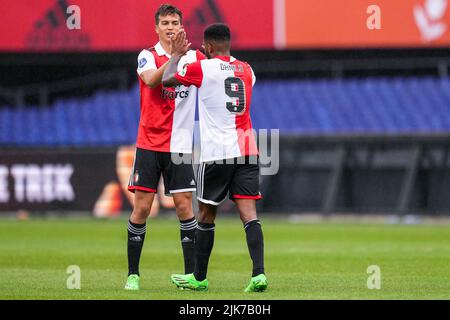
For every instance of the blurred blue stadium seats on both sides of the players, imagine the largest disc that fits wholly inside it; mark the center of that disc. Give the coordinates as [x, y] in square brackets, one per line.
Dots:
[398, 105]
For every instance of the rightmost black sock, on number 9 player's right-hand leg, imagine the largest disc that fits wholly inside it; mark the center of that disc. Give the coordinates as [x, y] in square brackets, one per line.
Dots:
[255, 243]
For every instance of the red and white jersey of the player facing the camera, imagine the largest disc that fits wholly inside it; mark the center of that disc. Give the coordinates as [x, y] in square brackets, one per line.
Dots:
[167, 114]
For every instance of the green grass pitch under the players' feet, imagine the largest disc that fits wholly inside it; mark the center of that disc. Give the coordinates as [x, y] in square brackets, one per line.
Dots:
[303, 261]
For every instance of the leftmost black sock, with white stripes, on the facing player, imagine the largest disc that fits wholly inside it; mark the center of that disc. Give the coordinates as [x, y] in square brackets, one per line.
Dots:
[136, 237]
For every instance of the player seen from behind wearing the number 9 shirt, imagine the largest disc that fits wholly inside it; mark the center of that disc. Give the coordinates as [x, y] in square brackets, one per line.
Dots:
[229, 155]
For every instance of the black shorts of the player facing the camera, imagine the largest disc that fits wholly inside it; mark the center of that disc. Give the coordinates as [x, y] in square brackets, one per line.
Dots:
[148, 167]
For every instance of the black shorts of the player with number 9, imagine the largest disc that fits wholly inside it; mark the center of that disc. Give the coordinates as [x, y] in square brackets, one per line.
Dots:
[238, 178]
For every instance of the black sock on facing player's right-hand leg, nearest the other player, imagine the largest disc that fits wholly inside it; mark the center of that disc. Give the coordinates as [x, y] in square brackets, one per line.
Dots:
[187, 236]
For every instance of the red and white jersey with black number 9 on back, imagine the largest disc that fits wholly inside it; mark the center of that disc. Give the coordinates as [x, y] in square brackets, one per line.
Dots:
[224, 96]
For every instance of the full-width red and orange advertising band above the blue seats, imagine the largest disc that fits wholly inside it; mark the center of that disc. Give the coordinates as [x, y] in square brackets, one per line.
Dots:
[128, 25]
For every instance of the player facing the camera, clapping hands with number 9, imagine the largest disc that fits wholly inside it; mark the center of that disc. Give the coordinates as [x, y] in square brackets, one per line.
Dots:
[165, 129]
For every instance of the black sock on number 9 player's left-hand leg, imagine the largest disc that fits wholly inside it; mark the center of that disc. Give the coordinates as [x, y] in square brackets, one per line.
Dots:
[204, 241]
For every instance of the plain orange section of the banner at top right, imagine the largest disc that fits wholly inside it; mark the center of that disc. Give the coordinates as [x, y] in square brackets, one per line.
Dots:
[366, 23]
